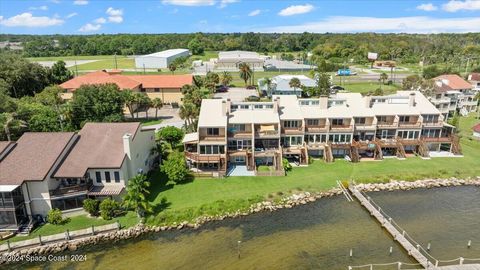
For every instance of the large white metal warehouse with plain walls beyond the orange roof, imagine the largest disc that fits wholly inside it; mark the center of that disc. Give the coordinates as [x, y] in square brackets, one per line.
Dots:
[160, 59]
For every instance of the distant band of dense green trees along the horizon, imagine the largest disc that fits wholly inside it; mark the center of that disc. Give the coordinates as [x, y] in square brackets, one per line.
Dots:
[407, 48]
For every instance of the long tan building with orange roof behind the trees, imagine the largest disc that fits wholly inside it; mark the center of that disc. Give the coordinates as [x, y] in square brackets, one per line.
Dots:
[165, 87]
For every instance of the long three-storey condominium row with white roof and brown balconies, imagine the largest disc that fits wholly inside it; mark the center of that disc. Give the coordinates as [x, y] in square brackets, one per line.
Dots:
[249, 135]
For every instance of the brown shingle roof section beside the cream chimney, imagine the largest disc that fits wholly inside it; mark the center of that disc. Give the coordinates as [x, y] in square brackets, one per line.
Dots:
[100, 146]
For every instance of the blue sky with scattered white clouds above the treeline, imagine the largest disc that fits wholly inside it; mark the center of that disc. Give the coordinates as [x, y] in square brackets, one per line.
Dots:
[225, 16]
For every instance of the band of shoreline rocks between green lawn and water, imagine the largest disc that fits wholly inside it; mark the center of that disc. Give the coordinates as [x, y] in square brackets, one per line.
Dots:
[285, 202]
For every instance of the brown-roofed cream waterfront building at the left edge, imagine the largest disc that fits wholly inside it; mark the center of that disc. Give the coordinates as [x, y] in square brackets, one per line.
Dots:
[46, 170]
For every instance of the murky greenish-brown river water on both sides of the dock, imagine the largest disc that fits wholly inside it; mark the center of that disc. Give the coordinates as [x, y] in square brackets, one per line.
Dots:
[318, 235]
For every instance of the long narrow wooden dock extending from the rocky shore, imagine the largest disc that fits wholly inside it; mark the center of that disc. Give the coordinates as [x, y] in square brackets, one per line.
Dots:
[399, 236]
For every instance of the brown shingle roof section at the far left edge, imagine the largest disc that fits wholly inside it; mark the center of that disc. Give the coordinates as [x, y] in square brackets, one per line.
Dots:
[33, 156]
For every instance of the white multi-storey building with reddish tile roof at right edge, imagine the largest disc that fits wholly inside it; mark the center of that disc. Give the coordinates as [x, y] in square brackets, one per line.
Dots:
[453, 94]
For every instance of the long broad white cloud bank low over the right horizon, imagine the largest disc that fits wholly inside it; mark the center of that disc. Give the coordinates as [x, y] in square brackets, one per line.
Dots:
[419, 24]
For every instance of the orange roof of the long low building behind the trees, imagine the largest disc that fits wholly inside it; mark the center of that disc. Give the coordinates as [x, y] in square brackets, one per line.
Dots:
[128, 81]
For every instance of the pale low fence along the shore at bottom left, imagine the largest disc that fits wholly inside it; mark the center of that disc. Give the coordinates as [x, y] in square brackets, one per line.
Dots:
[65, 236]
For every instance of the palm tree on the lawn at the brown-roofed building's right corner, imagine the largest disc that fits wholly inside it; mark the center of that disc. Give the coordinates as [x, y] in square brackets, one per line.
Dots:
[136, 198]
